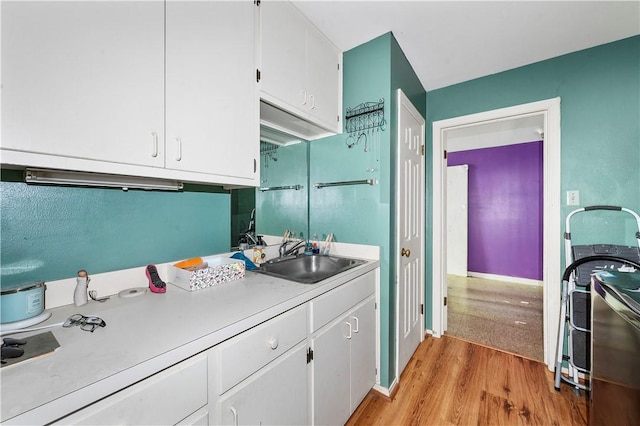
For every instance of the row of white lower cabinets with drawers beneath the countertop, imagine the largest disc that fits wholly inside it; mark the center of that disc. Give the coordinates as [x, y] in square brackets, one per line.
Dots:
[312, 364]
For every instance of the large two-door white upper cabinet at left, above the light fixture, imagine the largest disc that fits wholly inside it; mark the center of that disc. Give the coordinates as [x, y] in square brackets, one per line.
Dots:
[92, 86]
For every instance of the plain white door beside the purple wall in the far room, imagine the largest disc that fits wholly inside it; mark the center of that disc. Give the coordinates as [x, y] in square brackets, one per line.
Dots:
[457, 219]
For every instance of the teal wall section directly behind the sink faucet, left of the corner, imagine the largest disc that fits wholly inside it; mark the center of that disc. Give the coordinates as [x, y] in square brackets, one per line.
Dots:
[279, 210]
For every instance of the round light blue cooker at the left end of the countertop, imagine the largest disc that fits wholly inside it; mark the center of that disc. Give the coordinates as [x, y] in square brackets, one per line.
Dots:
[22, 302]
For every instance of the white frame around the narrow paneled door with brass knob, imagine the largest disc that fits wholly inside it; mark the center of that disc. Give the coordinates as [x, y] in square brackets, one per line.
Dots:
[403, 99]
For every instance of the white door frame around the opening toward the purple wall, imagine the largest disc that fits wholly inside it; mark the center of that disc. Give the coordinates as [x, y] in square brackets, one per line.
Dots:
[551, 256]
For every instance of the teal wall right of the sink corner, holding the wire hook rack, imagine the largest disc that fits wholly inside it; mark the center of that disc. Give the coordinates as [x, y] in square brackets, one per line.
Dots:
[362, 213]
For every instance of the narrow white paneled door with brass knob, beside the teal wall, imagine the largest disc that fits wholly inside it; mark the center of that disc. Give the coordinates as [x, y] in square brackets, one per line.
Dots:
[409, 229]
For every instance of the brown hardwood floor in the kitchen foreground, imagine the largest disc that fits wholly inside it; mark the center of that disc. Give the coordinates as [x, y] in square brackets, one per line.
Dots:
[449, 381]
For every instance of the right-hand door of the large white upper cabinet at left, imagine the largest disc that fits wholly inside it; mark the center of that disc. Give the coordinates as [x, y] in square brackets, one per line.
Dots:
[212, 103]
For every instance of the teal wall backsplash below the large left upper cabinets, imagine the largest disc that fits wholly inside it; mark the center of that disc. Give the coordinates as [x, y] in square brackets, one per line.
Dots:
[48, 233]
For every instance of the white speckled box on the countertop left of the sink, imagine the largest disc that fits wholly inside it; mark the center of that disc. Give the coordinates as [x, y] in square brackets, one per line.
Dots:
[220, 270]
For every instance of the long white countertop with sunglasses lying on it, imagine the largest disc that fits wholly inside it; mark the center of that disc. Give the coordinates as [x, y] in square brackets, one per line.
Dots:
[143, 335]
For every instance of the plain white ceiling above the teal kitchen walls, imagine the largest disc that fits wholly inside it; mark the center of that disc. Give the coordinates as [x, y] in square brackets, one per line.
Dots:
[449, 42]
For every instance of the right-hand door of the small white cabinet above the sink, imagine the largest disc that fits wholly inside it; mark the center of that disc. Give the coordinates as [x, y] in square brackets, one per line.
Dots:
[323, 80]
